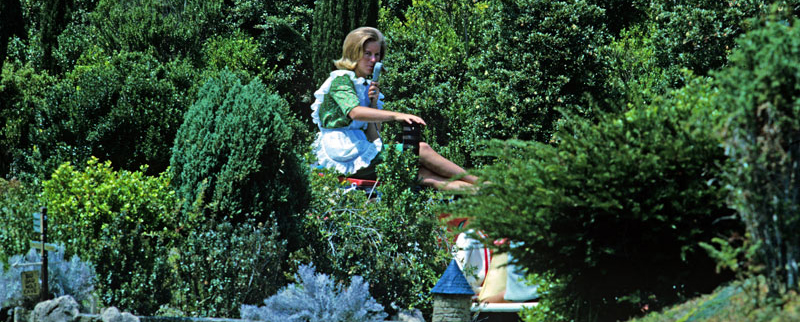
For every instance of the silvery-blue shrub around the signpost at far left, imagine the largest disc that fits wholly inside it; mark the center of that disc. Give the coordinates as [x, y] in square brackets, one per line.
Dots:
[65, 277]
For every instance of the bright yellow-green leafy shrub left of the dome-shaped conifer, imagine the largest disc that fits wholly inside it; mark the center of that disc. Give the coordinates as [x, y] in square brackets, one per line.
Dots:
[123, 222]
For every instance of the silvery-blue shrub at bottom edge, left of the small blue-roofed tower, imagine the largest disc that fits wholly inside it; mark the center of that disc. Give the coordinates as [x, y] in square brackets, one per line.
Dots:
[315, 297]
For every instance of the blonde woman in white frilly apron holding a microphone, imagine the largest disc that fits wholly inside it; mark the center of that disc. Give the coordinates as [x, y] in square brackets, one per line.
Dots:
[348, 140]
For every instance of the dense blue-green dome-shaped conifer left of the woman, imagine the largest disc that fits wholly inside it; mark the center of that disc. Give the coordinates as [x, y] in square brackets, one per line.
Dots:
[238, 152]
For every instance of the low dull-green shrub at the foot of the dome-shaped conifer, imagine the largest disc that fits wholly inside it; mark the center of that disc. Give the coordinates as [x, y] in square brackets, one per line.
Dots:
[221, 266]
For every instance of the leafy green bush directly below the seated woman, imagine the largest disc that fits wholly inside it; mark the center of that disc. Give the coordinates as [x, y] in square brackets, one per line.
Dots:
[394, 242]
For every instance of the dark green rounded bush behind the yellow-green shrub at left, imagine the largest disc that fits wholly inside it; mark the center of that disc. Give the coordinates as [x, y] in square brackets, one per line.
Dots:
[126, 109]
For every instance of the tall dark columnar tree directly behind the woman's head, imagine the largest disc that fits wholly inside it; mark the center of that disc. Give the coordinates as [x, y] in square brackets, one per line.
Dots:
[333, 19]
